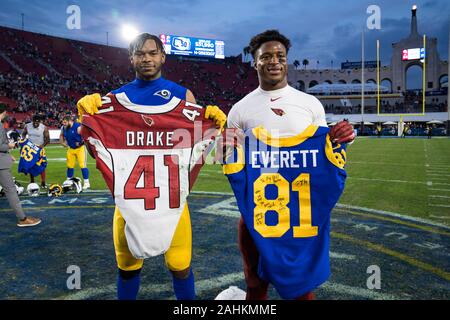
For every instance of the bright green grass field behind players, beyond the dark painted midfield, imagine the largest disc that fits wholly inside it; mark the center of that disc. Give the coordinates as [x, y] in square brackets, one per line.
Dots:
[406, 176]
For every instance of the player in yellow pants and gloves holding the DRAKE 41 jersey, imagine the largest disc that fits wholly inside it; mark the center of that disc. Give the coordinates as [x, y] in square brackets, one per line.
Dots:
[147, 57]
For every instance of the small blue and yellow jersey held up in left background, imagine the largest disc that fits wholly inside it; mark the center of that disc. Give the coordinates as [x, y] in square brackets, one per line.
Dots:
[32, 158]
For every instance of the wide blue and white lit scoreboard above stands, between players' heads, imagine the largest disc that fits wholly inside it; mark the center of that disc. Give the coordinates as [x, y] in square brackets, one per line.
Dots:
[197, 47]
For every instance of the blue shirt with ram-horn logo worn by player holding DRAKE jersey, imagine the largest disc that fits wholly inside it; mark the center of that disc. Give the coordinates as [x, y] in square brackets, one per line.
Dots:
[155, 92]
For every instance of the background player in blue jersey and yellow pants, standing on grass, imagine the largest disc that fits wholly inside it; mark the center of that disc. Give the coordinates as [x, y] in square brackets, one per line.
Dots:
[70, 138]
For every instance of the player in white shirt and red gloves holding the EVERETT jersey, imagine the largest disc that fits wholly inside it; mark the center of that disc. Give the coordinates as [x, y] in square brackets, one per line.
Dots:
[284, 112]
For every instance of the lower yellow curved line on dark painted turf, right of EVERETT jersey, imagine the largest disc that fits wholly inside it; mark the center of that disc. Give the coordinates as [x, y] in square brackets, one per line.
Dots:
[401, 256]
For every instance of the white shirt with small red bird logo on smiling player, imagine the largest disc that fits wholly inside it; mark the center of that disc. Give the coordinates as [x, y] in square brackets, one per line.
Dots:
[283, 112]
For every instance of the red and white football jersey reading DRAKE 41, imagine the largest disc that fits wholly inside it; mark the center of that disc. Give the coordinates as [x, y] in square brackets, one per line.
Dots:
[149, 157]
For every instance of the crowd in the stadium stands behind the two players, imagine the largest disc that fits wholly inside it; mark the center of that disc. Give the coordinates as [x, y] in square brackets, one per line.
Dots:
[45, 75]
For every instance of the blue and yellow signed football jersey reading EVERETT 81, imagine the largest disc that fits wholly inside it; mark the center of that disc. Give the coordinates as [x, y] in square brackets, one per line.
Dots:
[285, 190]
